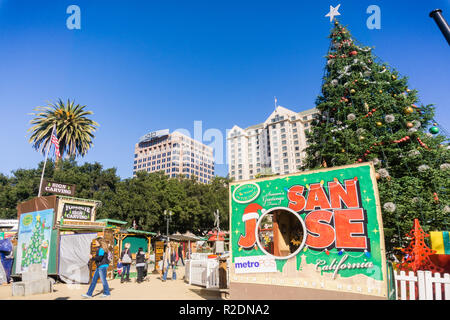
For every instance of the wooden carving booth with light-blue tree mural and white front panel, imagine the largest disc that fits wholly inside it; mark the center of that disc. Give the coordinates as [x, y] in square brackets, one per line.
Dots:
[57, 232]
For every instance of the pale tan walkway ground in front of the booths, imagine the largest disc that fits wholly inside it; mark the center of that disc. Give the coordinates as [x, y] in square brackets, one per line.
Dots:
[152, 289]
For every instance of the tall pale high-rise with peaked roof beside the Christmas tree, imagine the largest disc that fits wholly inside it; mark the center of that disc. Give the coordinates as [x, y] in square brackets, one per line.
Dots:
[274, 146]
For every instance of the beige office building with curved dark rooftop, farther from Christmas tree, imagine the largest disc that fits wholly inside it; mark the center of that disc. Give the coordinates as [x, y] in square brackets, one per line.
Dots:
[175, 154]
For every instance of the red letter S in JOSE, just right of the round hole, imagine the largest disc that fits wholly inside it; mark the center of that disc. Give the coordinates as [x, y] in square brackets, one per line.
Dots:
[316, 223]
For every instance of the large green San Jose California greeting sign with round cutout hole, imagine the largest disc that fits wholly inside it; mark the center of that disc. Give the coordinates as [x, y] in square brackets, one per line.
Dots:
[318, 229]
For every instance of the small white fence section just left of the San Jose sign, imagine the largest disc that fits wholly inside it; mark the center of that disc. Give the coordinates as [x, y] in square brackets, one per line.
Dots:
[204, 272]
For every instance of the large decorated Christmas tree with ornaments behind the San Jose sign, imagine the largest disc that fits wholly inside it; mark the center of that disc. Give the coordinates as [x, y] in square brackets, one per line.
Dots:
[368, 113]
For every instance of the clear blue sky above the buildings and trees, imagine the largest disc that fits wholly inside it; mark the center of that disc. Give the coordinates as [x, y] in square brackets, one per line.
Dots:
[142, 66]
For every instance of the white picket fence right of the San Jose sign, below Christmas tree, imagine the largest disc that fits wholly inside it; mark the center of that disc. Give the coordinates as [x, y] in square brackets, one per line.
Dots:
[422, 286]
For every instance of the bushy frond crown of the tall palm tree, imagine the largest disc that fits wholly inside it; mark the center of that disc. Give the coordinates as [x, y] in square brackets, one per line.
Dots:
[74, 130]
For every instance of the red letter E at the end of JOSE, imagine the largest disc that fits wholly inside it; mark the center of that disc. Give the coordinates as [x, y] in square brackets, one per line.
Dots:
[349, 225]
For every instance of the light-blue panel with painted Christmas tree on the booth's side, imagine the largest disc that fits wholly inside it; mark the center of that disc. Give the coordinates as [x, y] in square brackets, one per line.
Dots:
[33, 245]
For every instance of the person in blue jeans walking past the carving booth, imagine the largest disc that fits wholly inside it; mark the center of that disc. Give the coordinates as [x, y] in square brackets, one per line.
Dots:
[102, 261]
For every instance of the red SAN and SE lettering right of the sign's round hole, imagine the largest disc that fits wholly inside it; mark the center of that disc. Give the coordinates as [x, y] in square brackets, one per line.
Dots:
[333, 220]
